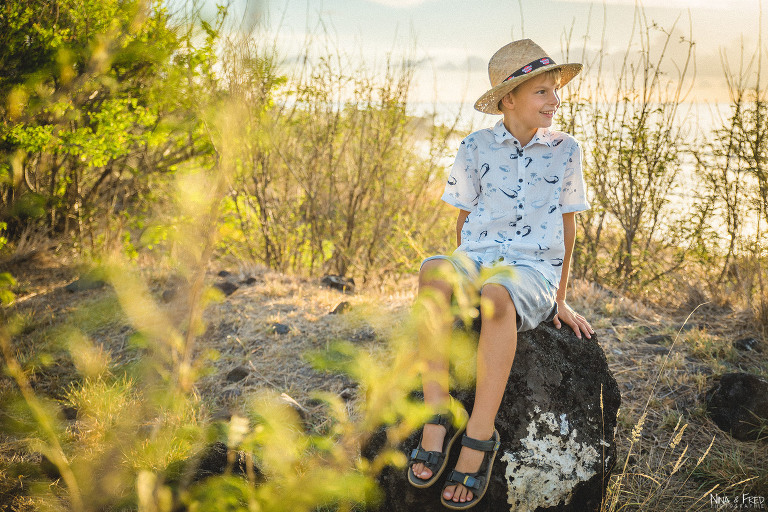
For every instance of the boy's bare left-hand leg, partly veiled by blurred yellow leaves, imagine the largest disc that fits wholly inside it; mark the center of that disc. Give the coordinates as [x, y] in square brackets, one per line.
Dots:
[434, 334]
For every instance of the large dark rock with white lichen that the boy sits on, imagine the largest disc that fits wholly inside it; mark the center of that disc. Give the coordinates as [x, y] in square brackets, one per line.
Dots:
[557, 442]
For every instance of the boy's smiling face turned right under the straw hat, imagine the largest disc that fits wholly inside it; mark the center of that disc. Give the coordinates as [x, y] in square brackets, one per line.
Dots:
[532, 104]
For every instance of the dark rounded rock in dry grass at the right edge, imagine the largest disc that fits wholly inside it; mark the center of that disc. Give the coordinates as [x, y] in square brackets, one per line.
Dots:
[738, 404]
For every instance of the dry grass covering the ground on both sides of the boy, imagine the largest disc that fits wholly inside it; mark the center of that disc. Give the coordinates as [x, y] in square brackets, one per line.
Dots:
[664, 383]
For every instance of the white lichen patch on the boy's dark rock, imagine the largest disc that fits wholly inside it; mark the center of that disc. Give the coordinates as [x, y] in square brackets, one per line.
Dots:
[549, 465]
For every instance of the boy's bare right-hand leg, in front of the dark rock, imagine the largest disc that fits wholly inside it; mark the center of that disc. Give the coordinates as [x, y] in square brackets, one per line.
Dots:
[495, 353]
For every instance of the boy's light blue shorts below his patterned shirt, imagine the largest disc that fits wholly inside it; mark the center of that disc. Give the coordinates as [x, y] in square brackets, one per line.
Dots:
[532, 294]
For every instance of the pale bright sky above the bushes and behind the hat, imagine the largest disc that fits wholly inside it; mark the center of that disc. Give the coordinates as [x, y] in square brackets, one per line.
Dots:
[452, 40]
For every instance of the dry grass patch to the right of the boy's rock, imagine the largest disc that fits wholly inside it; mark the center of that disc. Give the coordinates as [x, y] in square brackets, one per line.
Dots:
[665, 384]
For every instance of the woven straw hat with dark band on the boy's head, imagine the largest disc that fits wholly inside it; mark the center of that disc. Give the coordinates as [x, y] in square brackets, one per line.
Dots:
[515, 63]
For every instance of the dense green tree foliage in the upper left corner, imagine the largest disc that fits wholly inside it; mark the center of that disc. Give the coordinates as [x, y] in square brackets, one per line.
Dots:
[98, 105]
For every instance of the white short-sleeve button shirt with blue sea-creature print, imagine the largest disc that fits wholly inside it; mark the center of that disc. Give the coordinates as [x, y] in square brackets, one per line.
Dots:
[516, 197]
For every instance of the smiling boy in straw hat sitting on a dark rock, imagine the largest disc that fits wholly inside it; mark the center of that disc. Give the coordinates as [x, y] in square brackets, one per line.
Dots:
[517, 187]
